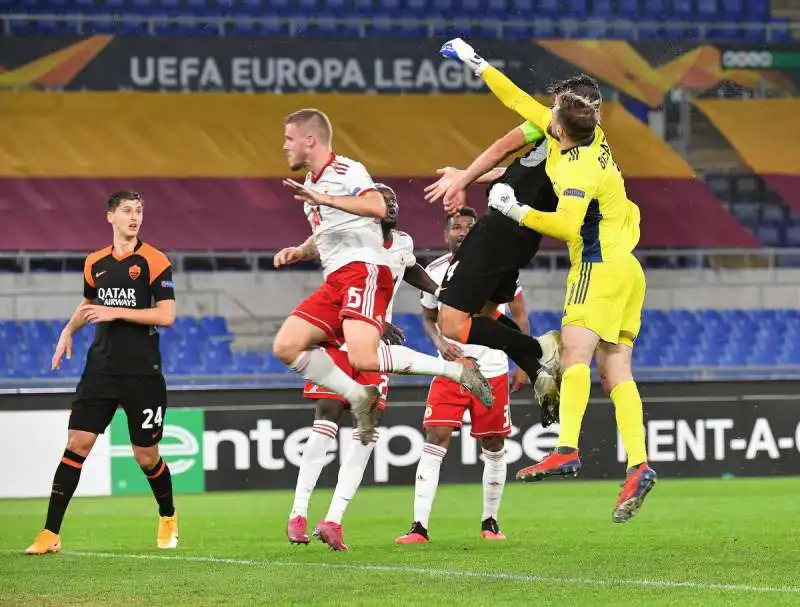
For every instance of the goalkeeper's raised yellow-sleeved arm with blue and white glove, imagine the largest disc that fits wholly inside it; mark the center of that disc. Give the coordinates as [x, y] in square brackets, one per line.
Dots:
[503, 88]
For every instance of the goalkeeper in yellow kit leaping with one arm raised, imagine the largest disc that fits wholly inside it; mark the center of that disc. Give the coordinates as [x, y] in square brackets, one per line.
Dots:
[606, 284]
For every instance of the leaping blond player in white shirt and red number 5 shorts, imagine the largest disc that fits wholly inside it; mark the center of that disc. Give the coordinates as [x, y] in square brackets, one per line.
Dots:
[345, 209]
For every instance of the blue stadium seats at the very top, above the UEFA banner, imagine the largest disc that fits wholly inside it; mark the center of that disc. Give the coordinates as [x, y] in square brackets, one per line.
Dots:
[625, 19]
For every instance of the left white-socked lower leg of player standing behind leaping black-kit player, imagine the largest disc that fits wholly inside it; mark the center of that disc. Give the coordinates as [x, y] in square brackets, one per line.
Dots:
[426, 484]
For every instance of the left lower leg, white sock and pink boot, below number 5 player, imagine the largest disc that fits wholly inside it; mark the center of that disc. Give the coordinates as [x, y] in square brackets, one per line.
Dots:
[321, 440]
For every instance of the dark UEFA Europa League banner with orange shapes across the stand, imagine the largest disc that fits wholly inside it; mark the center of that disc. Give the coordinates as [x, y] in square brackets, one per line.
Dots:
[645, 71]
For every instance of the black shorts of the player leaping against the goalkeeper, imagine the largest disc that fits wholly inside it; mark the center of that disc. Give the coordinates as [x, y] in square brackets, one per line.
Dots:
[486, 266]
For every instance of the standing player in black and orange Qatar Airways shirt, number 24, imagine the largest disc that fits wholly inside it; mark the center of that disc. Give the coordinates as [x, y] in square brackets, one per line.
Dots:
[128, 293]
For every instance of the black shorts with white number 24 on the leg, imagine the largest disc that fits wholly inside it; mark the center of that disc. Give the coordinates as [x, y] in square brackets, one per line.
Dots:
[142, 397]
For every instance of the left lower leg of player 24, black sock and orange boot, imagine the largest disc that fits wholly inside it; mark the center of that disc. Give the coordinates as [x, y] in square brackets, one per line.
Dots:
[65, 481]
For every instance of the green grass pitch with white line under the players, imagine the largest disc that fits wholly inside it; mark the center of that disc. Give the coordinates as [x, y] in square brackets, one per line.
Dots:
[709, 542]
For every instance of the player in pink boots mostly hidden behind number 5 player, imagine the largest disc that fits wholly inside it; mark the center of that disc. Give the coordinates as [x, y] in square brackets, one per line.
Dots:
[330, 406]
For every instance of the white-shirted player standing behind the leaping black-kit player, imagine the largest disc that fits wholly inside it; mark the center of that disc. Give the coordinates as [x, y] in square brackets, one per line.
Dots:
[447, 402]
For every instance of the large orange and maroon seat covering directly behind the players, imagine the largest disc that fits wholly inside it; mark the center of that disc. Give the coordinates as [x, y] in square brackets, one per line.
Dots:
[213, 164]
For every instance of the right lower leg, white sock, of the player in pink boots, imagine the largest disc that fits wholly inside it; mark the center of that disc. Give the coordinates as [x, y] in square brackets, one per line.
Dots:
[351, 473]
